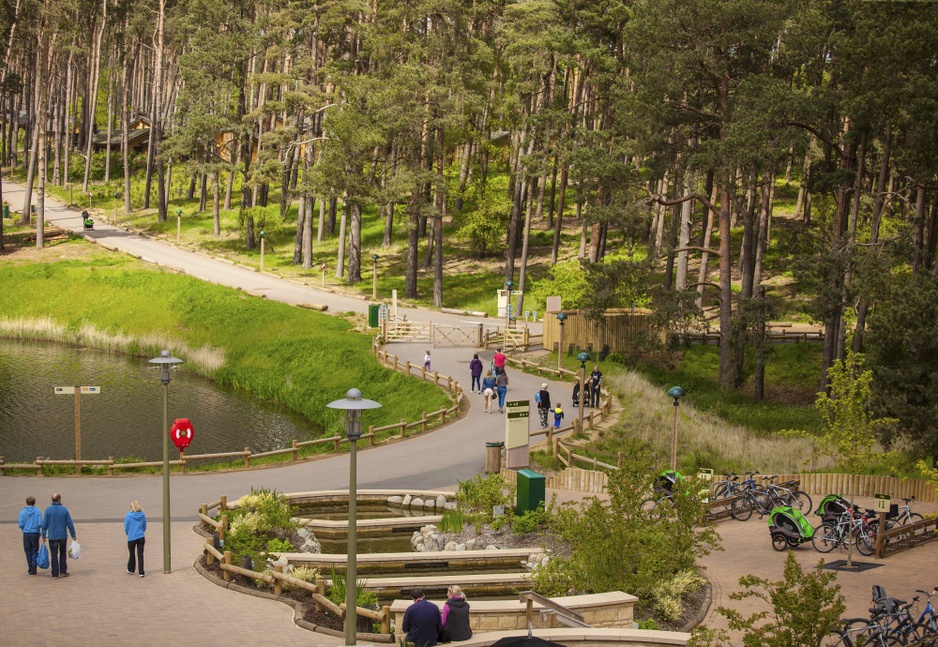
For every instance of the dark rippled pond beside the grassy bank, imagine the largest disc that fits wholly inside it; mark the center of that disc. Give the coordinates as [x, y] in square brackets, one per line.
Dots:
[126, 419]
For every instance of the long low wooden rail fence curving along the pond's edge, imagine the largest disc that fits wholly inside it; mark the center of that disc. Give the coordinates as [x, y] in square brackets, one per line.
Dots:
[246, 455]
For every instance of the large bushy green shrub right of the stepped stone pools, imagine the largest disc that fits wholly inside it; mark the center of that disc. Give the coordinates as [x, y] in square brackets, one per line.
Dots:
[617, 546]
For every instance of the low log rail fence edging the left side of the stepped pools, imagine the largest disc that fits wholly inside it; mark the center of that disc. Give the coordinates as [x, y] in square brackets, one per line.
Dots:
[275, 578]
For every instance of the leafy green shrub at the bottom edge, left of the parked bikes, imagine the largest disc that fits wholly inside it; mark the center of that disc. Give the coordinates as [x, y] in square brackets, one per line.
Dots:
[804, 608]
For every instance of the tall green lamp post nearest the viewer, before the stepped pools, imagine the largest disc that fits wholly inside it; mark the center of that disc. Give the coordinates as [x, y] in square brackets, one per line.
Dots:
[353, 404]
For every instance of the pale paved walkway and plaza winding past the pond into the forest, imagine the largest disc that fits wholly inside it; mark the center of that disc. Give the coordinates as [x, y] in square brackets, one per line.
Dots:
[102, 605]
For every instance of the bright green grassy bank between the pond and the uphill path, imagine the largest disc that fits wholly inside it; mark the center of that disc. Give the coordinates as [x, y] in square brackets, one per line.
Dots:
[77, 293]
